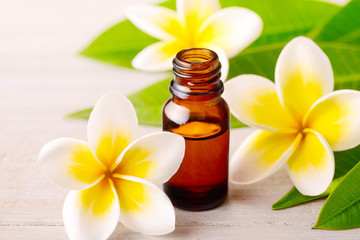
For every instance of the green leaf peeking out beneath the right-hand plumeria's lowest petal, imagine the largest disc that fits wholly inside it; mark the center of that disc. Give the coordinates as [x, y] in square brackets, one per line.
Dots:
[344, 162]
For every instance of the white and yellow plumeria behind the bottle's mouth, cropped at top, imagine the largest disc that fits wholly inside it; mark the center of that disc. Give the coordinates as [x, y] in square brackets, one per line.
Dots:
[197, 23]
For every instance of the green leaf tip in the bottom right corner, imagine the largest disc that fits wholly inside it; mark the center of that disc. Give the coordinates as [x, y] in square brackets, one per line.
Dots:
[342, 208]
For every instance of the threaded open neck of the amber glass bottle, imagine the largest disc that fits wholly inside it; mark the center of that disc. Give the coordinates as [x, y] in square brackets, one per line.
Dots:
[197, 75]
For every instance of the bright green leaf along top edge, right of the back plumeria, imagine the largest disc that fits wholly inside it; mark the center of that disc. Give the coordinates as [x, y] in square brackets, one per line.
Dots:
[283, 19]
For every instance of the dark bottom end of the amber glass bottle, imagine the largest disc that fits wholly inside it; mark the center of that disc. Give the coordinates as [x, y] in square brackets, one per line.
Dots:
[197, 198]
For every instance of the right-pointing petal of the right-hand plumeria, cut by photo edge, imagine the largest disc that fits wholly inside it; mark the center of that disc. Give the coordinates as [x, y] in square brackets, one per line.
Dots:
[336, 116]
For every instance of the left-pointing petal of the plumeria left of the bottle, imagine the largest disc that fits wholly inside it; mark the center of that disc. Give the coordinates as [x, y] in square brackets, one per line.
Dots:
[70, 163]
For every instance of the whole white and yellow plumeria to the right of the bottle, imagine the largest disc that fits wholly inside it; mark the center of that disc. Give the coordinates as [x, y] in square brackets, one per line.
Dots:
[300, 120]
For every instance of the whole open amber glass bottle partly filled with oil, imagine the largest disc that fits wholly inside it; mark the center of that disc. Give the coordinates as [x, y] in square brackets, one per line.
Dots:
[198, 113]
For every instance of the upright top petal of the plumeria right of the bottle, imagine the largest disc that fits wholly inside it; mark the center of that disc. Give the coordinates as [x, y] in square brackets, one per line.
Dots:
[303, 74]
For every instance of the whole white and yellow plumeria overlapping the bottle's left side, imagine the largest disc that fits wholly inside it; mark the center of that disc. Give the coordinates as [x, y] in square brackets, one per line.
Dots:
[112, 178]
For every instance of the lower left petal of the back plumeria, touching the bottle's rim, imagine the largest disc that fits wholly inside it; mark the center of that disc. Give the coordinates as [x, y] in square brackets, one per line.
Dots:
[158, 56]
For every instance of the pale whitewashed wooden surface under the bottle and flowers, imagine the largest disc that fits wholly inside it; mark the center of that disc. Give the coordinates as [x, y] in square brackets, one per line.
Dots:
[42, 79]
